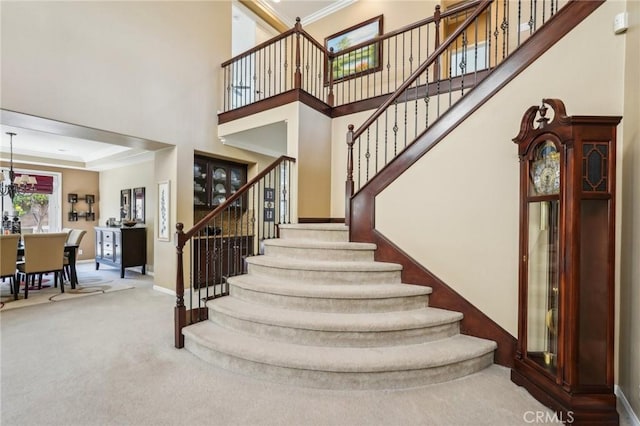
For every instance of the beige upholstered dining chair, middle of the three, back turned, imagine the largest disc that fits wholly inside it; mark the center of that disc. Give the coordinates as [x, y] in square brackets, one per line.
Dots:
[43, 253]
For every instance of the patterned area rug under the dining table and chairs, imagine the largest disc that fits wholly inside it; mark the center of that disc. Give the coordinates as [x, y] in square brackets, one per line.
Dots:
[88, 285]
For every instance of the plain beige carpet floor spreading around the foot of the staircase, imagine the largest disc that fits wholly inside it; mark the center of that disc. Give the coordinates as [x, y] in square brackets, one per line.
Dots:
[110, 361]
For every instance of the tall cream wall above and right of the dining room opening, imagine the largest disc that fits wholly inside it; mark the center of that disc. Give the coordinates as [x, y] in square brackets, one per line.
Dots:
[146, 69]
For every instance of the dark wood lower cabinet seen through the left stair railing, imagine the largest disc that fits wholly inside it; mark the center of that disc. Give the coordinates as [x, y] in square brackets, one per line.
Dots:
[218, 257]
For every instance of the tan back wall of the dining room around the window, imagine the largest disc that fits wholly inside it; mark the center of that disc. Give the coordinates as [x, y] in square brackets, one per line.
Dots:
[79, 182]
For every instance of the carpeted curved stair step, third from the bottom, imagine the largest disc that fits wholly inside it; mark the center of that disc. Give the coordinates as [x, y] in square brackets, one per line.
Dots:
[329, 297]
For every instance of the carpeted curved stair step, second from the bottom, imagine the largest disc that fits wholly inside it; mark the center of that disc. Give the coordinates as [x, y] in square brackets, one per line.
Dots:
[335, 329]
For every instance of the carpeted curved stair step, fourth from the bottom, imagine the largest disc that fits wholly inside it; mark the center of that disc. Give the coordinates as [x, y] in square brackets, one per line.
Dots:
[324, 272]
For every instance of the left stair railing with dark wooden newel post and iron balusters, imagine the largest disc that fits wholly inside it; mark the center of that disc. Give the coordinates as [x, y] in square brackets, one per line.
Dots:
[219, 243]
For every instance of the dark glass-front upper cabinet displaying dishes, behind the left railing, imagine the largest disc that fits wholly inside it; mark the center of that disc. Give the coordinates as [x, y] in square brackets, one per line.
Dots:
[215, 180]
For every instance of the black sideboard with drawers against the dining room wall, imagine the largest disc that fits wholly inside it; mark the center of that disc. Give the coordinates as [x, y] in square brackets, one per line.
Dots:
[121, 247]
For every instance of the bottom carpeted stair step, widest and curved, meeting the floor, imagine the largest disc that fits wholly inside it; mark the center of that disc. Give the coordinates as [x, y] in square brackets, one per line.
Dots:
[339, 367]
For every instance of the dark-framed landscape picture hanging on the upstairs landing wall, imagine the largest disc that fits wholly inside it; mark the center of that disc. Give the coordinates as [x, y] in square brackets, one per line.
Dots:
[360, 61]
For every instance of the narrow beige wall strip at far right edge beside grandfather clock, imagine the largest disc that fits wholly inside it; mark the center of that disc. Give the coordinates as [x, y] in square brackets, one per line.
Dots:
[629, 295]
